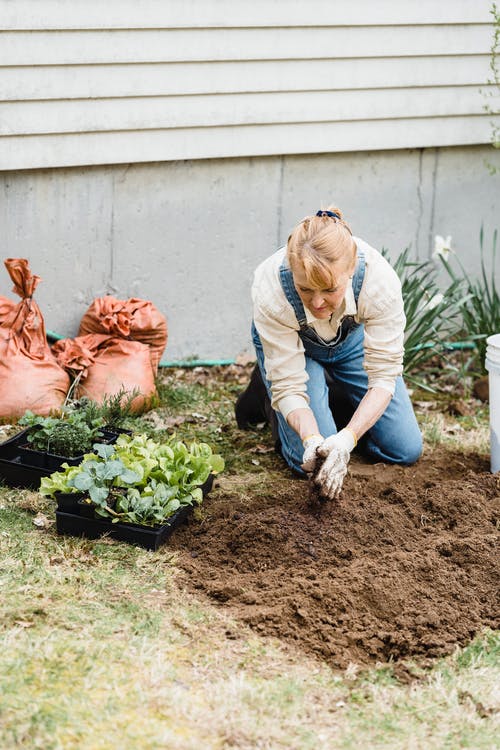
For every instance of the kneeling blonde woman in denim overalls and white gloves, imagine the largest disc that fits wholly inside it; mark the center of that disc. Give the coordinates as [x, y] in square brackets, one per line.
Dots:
[329, 304]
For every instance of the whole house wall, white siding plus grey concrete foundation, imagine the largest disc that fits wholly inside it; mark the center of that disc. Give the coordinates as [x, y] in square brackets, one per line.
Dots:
[162, 149]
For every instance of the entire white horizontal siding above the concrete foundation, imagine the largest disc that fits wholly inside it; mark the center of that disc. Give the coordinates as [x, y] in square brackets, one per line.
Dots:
[86, 82]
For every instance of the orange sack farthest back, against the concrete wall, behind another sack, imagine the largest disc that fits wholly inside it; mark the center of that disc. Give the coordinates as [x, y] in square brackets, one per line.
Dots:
[132, 319]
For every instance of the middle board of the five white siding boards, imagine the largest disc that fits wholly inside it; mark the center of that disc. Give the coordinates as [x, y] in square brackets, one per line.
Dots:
[162, 79]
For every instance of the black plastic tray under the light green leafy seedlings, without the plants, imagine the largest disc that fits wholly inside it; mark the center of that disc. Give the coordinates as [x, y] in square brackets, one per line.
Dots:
[143, 536]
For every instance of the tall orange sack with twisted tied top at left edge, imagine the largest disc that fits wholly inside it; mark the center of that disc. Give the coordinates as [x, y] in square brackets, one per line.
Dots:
[30, 377]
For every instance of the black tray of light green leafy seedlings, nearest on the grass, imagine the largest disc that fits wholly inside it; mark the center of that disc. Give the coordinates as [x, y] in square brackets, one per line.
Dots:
[136, 489]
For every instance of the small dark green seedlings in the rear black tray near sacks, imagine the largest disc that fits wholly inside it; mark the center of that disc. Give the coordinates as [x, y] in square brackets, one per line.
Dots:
[69, 435]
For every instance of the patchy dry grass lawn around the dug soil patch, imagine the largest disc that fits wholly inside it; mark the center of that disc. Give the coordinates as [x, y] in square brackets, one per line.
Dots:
[102, 647]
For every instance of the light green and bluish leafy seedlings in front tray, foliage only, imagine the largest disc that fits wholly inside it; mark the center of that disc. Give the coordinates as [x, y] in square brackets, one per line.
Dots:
[138, 480]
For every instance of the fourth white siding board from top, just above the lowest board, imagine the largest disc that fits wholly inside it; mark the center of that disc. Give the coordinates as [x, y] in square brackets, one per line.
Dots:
[234, 109]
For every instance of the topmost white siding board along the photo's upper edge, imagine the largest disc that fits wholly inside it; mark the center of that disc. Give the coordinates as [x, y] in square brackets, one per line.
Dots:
[137, 14]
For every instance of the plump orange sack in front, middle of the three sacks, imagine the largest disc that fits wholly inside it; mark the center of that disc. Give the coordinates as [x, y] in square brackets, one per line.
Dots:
[106, 364]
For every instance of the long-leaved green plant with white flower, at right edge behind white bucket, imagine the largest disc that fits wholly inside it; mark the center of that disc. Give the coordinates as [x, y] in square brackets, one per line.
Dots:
[478, 300]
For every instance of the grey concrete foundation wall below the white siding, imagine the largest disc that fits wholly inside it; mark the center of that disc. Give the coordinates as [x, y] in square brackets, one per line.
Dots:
[188, 235]
